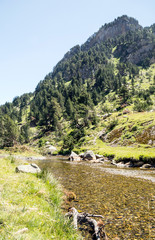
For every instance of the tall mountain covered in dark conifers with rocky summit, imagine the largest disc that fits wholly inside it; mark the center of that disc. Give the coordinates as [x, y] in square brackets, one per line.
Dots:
[113, 71]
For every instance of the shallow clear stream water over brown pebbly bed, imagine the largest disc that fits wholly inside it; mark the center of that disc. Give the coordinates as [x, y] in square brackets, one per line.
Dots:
[125, 197]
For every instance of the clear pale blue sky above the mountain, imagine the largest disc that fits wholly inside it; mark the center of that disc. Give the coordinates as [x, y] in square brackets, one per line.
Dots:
[35, 35]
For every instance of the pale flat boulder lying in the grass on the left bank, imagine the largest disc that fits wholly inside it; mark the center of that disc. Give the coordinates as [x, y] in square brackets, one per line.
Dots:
[31, 168]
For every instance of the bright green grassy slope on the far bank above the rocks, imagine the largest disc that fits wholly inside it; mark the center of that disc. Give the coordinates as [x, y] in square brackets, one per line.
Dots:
[133, 126]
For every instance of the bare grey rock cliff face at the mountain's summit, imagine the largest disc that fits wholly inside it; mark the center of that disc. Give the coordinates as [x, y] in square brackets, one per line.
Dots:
[118, 27]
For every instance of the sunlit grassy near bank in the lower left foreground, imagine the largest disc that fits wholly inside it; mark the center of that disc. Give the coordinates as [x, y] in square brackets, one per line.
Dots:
[30, 206]
